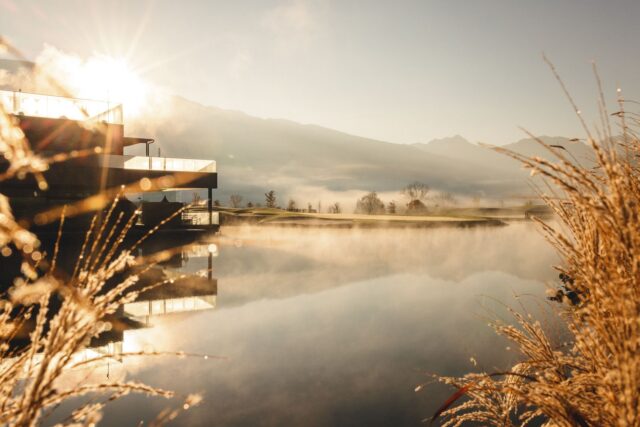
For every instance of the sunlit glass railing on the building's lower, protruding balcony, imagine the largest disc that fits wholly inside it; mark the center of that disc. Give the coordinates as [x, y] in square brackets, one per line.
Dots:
[169, 164]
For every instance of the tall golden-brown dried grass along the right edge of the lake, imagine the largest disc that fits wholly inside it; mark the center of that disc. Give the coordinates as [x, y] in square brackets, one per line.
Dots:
[595, 380]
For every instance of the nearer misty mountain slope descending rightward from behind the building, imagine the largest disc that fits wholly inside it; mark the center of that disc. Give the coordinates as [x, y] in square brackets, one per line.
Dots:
[255, 155]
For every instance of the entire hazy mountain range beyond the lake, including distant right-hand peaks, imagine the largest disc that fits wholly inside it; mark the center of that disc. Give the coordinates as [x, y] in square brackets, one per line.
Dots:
[313, 163]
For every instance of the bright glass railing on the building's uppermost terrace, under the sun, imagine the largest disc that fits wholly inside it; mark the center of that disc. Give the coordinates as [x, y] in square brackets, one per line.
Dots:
[56, 107]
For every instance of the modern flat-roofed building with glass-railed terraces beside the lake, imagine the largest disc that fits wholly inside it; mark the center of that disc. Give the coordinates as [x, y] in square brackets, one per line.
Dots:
[90, 137]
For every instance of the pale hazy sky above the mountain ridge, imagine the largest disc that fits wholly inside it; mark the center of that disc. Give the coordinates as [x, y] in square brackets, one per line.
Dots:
[401, 71]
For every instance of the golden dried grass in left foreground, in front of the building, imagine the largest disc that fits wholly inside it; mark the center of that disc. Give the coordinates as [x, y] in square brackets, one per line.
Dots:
[32, 377]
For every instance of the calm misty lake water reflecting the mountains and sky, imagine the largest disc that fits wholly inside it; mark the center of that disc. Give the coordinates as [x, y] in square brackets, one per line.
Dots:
[332, 327]
